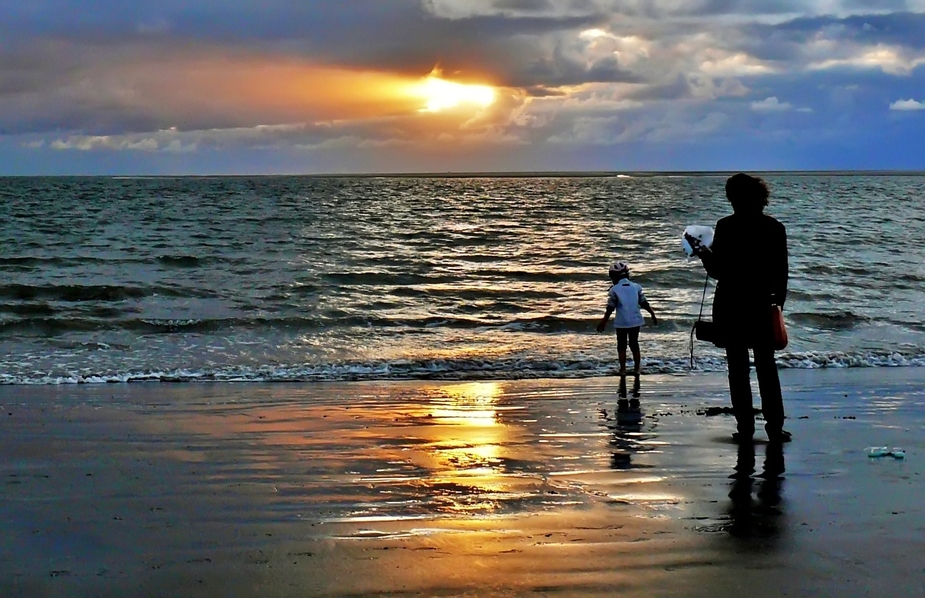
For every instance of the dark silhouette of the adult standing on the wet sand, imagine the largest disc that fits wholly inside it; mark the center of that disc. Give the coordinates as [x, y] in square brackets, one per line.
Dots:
[748, 259]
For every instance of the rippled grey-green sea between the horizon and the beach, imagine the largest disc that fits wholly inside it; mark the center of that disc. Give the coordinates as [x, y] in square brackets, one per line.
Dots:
[313, 278]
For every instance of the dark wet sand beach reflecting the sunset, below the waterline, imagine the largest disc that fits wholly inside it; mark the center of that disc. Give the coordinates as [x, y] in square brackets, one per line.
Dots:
[536, 488]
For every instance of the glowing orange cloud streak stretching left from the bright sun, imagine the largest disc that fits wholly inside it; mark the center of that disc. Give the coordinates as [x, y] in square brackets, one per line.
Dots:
[195, 87]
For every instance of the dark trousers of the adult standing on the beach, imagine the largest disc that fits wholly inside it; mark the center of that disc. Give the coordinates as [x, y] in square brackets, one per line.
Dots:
[740, 389]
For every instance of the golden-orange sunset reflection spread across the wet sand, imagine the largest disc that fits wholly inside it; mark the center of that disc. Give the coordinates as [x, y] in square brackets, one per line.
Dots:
[416, 451]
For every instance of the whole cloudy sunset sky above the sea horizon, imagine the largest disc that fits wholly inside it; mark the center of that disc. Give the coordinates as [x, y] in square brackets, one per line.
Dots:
[366, 86]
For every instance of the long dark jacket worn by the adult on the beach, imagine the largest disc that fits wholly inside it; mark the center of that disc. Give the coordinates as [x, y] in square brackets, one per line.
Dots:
[748, 259]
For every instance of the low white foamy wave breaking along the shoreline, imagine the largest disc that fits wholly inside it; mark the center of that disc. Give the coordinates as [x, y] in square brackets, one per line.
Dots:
[457, 369]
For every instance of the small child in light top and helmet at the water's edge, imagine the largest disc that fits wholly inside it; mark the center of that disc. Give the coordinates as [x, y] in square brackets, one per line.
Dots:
[626, 298]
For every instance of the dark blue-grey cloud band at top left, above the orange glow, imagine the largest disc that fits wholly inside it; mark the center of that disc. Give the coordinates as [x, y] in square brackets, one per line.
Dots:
[399, 36]
